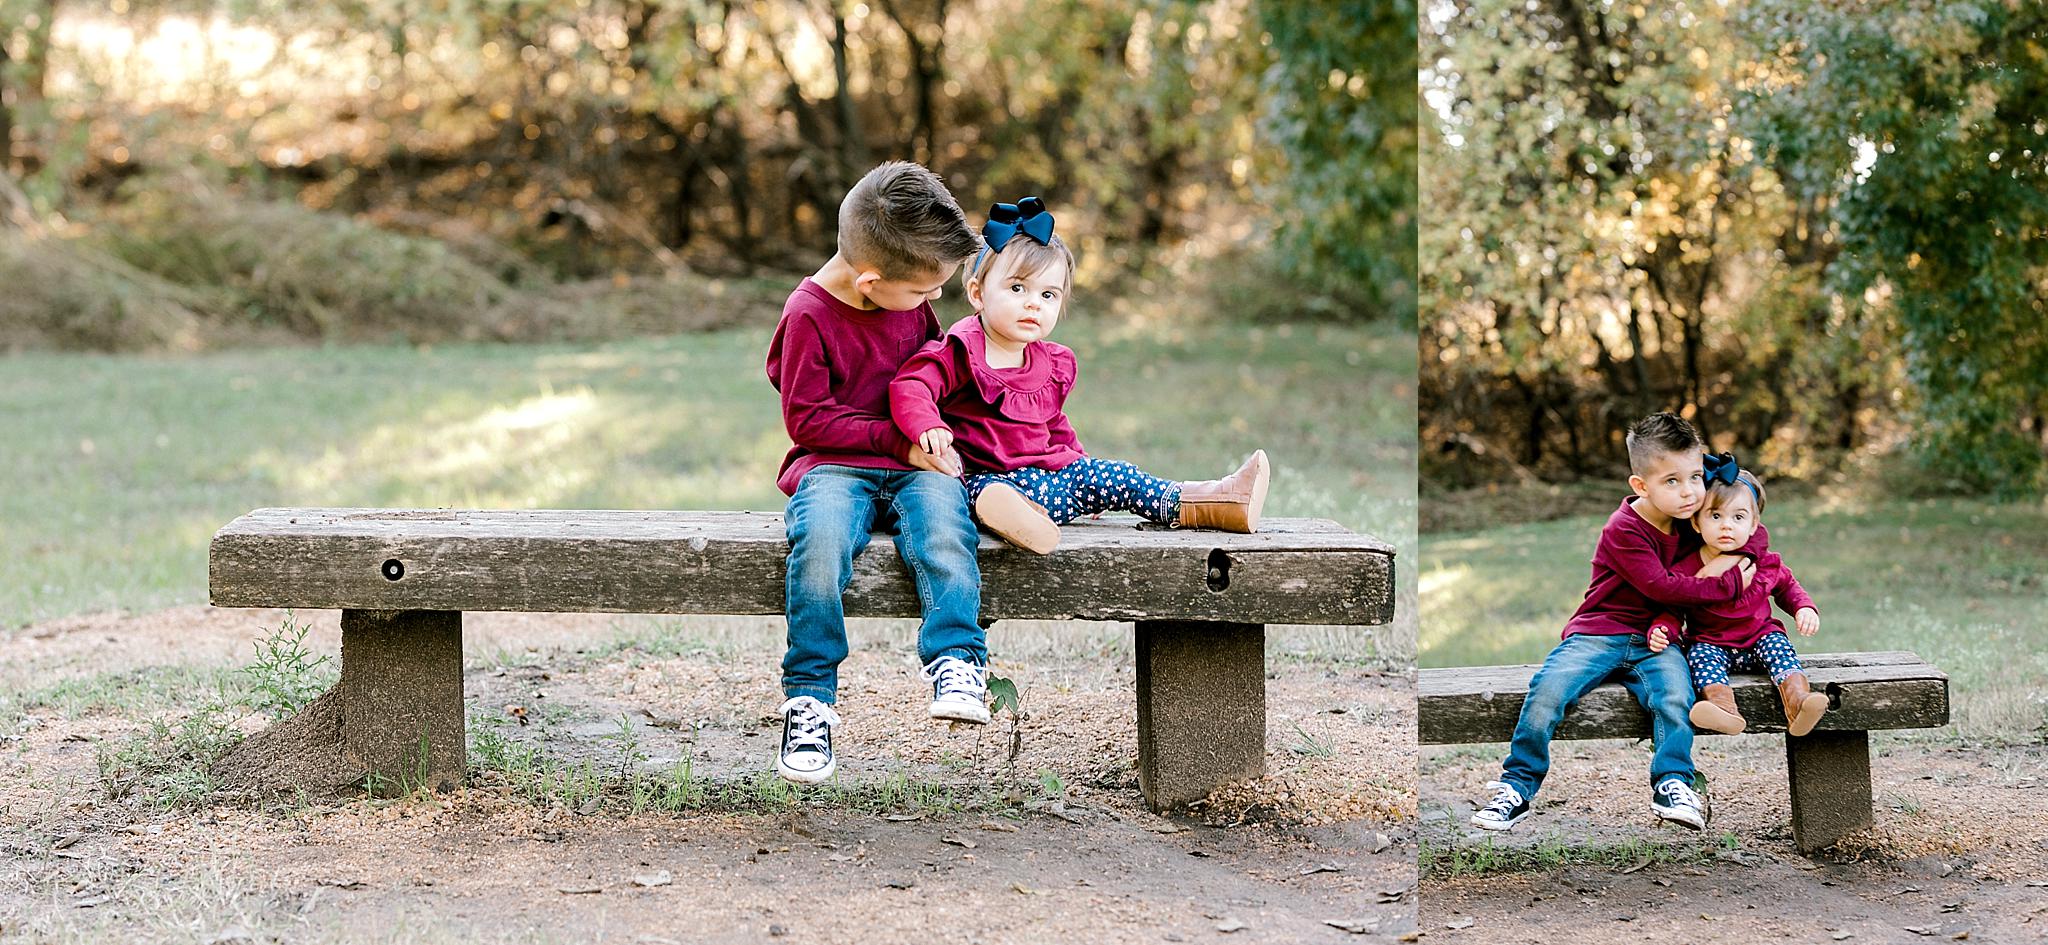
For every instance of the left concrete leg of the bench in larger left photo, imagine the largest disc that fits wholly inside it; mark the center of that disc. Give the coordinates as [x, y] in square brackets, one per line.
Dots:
[402, 698]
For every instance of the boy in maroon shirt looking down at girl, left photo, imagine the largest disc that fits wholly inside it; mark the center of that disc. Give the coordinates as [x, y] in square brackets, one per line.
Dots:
[843, 337]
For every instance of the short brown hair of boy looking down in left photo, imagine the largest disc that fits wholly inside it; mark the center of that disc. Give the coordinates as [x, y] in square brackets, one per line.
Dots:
[902, 222]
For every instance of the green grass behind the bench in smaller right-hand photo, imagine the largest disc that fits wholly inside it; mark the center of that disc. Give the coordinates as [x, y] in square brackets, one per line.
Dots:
[1955, 581]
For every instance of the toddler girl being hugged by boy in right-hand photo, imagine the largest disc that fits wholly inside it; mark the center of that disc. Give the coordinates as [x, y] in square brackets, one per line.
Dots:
[1742, 636]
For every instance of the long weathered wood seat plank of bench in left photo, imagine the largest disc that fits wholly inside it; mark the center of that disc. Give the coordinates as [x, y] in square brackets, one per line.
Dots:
[1295, 571]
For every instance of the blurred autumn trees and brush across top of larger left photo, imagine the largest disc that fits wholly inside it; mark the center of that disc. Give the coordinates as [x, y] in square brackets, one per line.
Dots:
[488, 169]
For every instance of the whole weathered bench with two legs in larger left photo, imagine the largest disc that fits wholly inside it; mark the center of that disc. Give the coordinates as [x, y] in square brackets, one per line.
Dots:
[402, 581]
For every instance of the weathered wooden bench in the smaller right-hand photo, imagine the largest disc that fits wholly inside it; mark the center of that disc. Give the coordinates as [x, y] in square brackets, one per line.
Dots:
[1830, 768]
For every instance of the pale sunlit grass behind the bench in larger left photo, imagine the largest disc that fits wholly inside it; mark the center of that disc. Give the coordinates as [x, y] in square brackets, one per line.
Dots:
[122, 468]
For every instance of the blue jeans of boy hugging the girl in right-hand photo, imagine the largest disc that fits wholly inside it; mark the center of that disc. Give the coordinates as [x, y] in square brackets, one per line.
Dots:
[1576, 667]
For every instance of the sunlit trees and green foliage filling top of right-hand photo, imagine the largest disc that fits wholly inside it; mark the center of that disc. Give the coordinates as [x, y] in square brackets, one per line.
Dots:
[1811, 224]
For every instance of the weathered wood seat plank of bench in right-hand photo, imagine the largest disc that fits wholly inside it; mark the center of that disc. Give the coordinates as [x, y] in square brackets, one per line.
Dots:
[1867, 692]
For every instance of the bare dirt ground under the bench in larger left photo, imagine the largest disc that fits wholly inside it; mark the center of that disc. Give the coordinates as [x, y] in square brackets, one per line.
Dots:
[1322, 850]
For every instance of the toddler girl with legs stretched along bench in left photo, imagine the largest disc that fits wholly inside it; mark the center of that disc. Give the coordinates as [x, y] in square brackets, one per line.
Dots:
[992, 395]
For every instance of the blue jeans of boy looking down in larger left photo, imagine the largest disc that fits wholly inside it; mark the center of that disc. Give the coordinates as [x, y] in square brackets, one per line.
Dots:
[828, 524]
